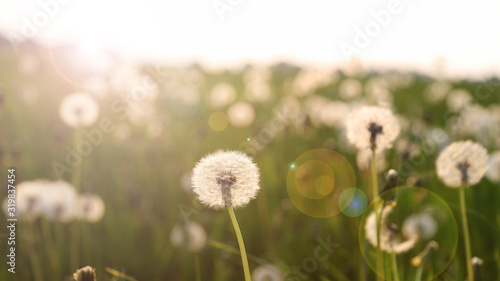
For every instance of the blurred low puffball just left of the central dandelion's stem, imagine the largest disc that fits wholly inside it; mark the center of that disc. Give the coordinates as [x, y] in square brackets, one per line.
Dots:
[191, 234]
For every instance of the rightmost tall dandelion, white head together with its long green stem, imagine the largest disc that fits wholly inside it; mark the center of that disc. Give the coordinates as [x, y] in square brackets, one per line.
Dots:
[460, 165]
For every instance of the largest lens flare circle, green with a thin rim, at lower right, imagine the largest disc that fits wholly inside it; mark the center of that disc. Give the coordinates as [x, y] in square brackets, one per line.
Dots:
[412, 219]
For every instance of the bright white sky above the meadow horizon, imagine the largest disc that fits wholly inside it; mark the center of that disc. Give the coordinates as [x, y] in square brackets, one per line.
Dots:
[465, 33]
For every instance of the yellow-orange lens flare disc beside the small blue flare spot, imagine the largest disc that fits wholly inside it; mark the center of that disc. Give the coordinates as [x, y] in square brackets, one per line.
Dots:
[316, 180]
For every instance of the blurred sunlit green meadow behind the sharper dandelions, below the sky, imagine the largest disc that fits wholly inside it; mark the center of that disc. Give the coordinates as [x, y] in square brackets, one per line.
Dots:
[156, 121]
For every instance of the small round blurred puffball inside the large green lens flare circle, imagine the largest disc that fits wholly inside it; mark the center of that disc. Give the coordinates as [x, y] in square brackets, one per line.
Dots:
[422, 224]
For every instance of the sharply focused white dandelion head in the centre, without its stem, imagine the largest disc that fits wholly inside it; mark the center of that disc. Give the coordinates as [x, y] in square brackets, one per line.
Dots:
[226, 179]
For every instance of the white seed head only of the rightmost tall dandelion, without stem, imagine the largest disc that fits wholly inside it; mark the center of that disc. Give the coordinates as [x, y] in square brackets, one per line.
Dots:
[463, 163]
